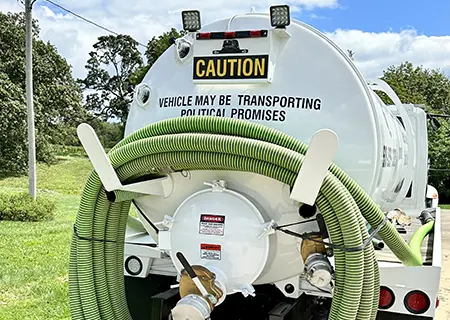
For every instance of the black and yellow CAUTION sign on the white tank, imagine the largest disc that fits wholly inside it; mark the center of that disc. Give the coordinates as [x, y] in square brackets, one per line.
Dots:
[231, 67]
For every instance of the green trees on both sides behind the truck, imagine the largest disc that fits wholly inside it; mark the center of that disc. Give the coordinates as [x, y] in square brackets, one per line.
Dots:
[115, 66]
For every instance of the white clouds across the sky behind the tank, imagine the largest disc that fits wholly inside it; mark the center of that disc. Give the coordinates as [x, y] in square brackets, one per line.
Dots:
[74, 38]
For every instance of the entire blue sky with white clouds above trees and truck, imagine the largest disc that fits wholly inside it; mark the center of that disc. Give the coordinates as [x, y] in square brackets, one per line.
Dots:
[382, 33]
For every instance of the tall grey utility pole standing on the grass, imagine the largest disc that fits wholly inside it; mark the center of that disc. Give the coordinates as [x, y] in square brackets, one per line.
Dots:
[29, 91]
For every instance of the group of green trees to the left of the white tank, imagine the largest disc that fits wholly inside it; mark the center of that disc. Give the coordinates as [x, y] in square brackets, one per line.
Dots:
[114, 67]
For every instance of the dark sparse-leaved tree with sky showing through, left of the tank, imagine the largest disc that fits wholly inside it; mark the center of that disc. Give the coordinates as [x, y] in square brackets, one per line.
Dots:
[110, 66]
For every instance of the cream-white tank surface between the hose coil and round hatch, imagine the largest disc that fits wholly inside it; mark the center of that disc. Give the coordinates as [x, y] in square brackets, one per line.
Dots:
[271, 197]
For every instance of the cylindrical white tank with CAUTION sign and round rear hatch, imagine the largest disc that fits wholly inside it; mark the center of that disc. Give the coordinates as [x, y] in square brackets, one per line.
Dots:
[294, 80]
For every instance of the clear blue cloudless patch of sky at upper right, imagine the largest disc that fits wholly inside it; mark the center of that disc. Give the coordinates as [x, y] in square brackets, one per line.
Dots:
[430, 17]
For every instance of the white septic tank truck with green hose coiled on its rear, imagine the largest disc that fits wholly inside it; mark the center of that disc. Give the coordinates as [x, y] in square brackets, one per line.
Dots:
[266, 180]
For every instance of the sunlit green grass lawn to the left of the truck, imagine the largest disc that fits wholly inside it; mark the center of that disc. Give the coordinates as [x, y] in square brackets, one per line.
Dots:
[34, 256]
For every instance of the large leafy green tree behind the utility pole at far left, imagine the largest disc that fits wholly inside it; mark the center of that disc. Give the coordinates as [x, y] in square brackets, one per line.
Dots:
[57, 96]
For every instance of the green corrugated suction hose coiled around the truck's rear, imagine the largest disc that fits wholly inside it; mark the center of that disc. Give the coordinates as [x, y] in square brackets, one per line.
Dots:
[96, 280]
